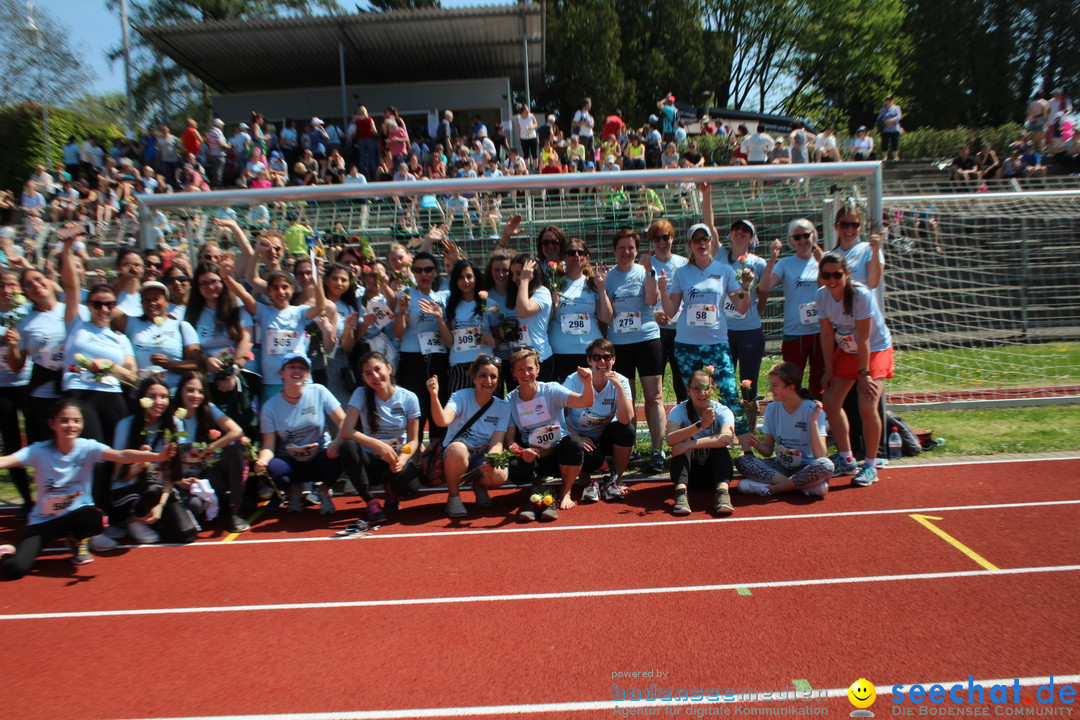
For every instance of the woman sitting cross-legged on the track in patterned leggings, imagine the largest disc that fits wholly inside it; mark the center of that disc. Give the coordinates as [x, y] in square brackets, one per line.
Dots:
[795, 429]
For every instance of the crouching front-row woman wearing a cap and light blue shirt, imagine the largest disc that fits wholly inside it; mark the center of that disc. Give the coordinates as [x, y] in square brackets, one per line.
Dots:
[295, 437]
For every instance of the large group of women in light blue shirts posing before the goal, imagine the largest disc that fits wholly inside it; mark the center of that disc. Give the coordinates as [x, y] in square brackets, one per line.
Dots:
[531, 324]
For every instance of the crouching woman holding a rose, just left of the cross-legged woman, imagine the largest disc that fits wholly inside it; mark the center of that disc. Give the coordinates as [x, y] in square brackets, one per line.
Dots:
[700, 431]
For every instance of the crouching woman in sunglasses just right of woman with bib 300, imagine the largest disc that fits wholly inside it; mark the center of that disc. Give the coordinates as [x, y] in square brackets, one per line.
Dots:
[606, 428]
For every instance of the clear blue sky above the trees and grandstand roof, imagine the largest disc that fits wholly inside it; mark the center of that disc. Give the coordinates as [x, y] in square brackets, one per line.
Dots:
[93, 31]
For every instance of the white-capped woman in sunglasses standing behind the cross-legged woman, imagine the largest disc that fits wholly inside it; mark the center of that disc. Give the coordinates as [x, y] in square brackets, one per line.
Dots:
[799, 276]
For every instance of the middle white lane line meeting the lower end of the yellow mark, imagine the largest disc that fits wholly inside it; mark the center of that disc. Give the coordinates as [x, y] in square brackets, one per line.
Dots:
[542, 596]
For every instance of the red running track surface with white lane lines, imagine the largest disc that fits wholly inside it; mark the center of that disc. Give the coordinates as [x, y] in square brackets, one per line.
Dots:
[528, 650]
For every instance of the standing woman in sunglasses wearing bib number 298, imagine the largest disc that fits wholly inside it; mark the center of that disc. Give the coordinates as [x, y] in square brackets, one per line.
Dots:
[583, 305]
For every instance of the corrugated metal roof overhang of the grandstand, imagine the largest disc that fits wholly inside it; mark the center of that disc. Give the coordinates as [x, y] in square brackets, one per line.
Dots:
[408, 46]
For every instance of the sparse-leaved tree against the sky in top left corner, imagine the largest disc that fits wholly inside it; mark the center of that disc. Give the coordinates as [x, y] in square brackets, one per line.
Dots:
[37, 66]
